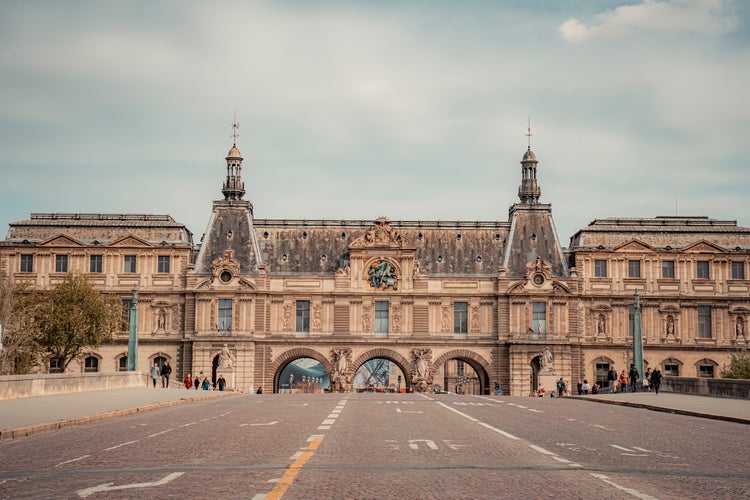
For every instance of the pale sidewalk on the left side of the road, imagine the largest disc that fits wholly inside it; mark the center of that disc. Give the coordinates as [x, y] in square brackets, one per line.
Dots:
[26, 416]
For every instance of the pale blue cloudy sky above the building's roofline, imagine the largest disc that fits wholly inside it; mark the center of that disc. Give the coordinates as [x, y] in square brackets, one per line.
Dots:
[413, 110]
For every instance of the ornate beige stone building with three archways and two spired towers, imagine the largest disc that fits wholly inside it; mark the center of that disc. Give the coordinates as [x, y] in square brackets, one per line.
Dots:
[449, 303]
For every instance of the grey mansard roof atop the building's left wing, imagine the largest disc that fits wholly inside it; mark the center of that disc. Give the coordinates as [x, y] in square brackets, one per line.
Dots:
[97, 228]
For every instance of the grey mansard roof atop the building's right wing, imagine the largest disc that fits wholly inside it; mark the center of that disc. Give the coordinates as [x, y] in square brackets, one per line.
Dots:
[661, 232]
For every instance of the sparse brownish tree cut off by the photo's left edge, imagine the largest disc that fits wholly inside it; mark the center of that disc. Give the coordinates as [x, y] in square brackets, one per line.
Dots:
[20, 349]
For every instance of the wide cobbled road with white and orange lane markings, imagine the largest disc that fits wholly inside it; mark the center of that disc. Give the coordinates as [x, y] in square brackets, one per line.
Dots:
[372, 445]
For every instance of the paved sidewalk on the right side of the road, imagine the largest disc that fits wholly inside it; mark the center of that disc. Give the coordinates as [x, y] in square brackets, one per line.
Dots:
[732, 410]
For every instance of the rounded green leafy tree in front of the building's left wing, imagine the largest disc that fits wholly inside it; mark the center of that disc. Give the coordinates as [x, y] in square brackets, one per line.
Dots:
[74, 317]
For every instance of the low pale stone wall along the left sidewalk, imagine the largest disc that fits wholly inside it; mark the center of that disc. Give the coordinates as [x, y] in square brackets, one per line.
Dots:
[24, 386]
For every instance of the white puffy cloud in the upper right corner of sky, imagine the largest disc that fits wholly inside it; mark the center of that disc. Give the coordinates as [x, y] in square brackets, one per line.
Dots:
[709, 17]
